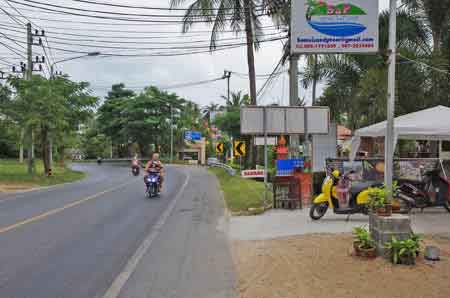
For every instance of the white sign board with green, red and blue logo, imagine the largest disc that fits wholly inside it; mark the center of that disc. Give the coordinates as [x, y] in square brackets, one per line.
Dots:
[334, 26]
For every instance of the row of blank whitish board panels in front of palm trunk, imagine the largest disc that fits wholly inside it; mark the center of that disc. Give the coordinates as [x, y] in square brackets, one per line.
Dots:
[284, 120]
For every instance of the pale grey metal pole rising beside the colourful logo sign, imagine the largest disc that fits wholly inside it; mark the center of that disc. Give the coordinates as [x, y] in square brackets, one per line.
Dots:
[389, 140]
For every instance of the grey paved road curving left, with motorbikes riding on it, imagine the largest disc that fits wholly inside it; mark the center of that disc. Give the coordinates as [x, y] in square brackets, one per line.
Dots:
[75, 240]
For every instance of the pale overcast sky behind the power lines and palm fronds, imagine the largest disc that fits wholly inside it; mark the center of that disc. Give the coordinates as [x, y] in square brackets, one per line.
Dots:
[162, 72]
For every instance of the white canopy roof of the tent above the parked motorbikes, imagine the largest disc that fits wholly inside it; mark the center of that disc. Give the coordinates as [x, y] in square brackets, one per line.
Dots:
[433, 123]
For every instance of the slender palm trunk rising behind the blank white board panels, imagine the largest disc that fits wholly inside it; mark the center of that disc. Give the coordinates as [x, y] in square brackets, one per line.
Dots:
[251, 65]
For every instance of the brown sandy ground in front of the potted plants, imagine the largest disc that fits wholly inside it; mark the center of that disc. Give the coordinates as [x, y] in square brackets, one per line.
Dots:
[321, 266]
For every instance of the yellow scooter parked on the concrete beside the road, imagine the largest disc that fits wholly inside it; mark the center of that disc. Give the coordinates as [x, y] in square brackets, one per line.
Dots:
[358, 196]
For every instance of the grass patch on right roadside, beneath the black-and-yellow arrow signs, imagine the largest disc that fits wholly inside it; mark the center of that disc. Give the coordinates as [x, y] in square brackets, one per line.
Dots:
[241, 195]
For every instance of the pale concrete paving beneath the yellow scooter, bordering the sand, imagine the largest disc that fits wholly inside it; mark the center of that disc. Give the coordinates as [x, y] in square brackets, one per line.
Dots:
[283, 223]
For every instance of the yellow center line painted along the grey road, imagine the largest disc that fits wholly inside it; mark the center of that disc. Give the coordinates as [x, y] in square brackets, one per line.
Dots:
[58, 210]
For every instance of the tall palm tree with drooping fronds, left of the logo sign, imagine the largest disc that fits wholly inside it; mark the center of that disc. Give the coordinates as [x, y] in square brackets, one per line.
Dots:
[223, 13]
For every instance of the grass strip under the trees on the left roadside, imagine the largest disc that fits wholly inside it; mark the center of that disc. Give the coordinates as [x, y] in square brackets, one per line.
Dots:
[14, 174]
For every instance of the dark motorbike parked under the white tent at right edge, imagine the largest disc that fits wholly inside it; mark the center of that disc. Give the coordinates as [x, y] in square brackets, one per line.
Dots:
[433, 191]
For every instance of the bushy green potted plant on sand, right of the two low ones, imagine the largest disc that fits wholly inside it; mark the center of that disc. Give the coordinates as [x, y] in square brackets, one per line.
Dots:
[404, 251]
